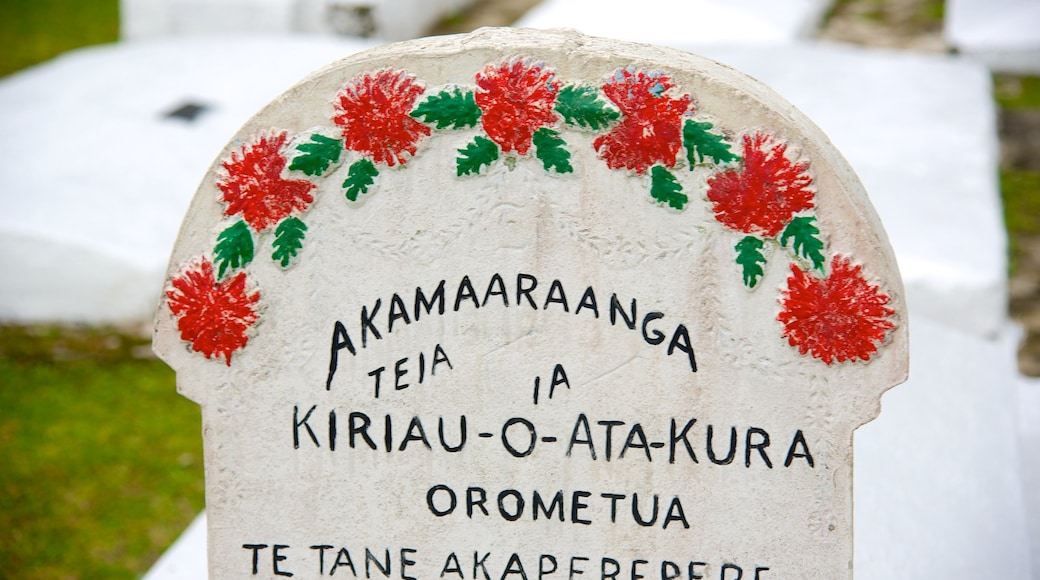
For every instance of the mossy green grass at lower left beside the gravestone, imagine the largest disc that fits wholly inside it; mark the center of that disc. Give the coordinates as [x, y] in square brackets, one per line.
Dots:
[101, 458]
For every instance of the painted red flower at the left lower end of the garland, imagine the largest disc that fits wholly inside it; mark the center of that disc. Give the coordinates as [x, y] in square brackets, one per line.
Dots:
[214, 317]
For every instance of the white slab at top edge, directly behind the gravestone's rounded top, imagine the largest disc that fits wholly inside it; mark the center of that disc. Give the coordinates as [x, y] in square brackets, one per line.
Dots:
[675, 22]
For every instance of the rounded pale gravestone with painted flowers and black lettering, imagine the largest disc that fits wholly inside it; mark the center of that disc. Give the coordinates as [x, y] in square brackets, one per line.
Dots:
[532, 305]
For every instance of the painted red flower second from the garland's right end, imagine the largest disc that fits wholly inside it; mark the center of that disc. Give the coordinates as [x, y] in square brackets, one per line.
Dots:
[766, 193]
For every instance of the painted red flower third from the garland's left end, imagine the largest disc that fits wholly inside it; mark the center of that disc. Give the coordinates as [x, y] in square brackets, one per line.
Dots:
[374, 112]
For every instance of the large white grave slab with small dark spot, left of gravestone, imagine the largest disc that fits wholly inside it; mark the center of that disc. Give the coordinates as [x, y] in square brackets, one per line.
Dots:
[103, 174]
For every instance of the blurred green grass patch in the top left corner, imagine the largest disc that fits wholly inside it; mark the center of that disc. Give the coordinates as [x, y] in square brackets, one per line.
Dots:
[36, 31]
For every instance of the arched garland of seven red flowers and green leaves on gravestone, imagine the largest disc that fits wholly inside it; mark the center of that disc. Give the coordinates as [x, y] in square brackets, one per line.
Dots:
[643, 125]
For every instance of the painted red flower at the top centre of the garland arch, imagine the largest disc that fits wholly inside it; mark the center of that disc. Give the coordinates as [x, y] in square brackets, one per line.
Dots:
[516, 99]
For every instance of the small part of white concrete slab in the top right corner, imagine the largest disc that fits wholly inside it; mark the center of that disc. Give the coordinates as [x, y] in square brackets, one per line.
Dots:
[1003, 34]
